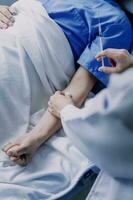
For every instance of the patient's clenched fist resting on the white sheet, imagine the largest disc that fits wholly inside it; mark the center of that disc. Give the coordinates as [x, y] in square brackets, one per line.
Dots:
[22, 150]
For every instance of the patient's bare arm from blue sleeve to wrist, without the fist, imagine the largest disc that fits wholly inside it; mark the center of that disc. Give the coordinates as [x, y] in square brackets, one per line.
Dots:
[79, 88]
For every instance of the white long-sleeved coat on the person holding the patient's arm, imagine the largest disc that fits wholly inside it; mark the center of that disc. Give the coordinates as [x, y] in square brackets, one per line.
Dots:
[103, 131]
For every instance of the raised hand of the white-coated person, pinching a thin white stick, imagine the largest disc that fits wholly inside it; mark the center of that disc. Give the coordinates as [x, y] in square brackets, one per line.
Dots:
[120, 60]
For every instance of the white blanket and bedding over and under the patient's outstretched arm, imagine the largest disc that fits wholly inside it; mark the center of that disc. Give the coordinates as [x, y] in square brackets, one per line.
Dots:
[35, 60]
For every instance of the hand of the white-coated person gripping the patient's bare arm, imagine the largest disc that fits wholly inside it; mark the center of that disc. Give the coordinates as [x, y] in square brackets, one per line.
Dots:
[59, 101]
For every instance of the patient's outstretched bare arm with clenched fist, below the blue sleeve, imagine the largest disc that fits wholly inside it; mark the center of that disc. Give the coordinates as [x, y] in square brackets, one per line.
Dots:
[22, 150]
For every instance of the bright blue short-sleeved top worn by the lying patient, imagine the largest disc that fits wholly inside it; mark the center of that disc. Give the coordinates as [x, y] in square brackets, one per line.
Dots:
[79, 21]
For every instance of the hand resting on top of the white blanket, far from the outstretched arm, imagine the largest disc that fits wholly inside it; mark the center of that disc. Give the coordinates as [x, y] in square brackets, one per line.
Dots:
[6, 16]
